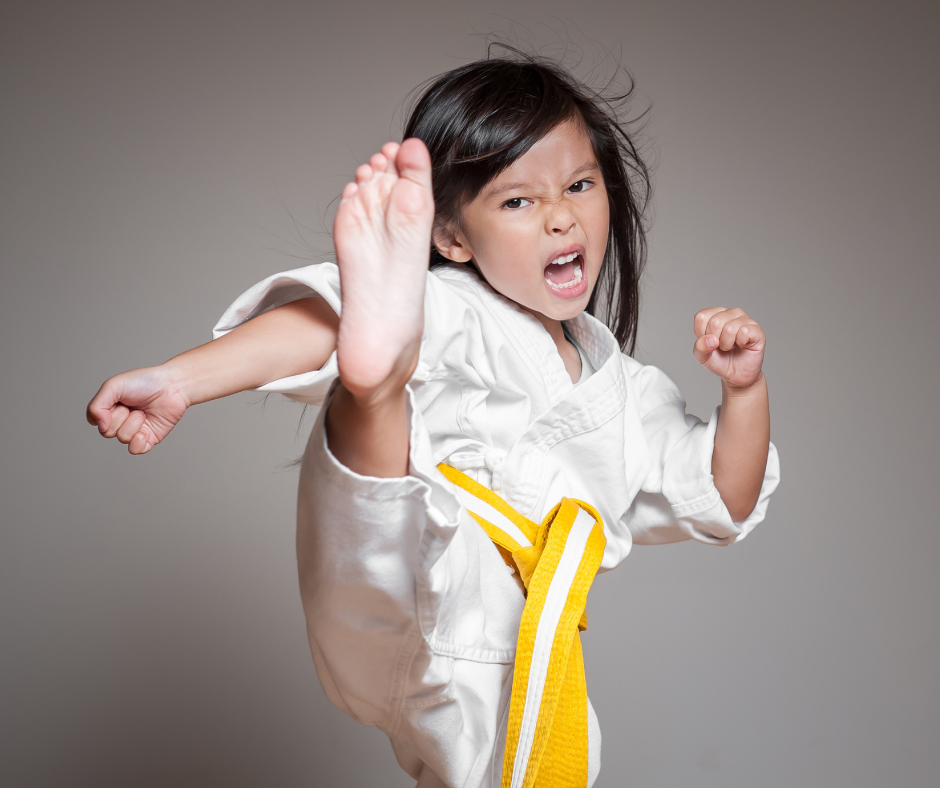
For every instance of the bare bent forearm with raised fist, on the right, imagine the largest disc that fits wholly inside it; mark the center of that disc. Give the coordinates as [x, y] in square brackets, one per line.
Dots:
[731, 345]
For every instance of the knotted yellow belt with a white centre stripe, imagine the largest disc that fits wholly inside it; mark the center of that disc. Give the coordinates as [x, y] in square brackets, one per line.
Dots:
[546, 738]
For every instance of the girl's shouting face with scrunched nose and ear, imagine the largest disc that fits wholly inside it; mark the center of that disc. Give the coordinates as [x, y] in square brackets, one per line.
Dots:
[549, 205]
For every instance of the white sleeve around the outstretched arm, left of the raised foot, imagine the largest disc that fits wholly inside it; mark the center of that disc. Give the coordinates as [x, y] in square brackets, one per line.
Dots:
[321, 280]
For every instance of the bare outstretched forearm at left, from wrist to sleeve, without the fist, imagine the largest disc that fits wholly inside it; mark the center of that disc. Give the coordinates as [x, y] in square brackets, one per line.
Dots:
[294, 338]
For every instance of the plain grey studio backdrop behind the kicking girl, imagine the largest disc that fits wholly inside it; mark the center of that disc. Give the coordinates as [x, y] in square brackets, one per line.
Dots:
[157, 159]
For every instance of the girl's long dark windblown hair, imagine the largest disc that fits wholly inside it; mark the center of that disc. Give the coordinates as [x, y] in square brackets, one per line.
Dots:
[480, 118]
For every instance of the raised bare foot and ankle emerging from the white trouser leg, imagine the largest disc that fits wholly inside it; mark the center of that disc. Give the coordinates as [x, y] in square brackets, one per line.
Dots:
[382, 235]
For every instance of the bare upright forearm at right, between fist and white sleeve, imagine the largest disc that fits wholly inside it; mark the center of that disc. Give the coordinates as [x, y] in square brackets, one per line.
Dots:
[742, 441]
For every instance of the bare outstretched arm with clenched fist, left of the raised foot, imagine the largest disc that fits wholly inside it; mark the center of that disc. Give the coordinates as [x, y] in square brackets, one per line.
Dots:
[141, 406]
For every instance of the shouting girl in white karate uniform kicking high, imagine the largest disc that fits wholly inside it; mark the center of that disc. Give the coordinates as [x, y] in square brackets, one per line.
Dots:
[486, 387]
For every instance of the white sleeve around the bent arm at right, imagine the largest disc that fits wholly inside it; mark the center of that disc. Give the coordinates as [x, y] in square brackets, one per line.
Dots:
[678, 499]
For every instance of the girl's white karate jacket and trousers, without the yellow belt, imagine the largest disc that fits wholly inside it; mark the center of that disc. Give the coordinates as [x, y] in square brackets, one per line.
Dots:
[412, 614]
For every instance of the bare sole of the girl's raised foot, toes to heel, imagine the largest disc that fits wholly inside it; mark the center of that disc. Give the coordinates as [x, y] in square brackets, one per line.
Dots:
[382, 234]
